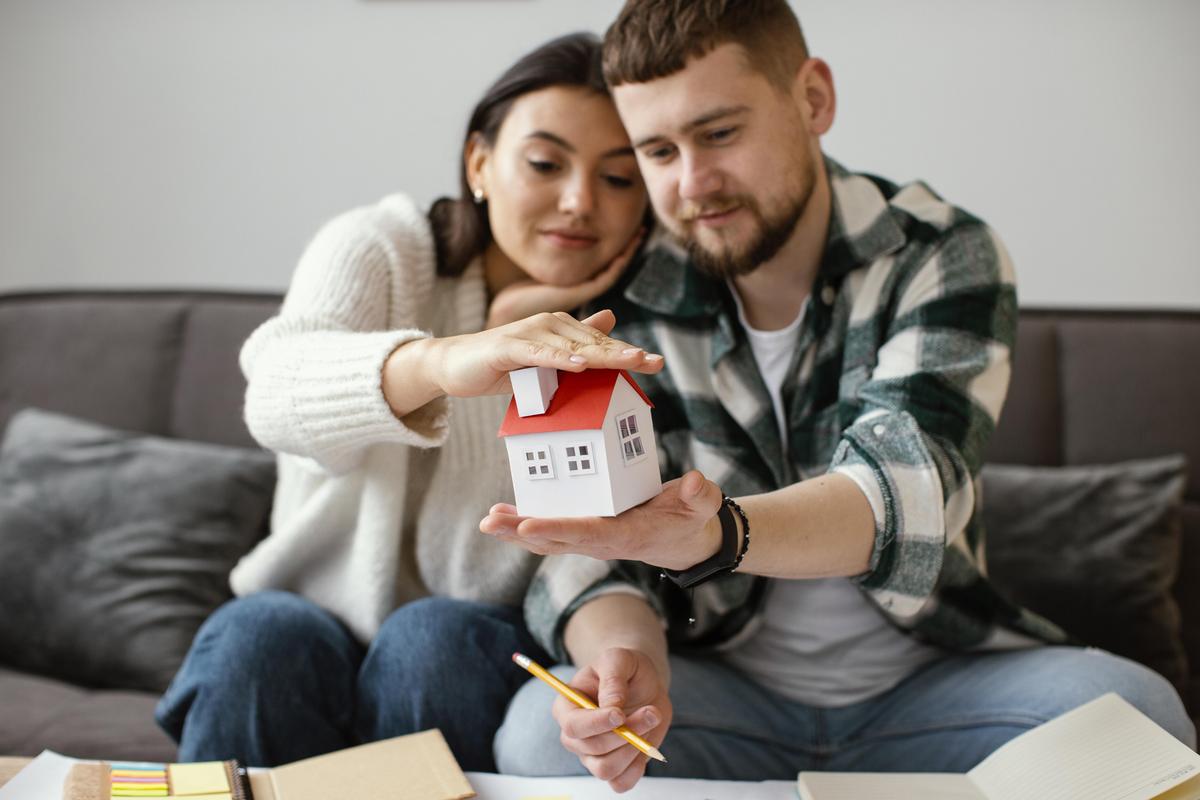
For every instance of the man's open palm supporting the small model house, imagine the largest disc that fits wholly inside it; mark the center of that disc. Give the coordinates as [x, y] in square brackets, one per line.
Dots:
[676, 530]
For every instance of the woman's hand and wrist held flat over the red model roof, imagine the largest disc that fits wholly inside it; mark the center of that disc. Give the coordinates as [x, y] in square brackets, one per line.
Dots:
[478, 364]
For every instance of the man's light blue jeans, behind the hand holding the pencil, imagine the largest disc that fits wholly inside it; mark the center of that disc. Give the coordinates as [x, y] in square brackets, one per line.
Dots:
[945, 719]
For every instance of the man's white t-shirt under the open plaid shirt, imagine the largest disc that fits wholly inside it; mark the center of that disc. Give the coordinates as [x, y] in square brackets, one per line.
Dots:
[823, 642]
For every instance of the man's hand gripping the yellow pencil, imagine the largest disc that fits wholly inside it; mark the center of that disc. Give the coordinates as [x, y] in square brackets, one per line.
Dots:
[629, 691]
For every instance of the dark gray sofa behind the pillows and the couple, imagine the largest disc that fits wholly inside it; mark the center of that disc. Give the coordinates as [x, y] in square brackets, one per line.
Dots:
[1089, 388]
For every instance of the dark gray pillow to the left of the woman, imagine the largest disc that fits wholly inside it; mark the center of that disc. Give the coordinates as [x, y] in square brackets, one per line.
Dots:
[116, 546]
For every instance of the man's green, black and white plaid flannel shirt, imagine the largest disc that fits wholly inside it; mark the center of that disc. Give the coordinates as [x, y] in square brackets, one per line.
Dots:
[899, 375]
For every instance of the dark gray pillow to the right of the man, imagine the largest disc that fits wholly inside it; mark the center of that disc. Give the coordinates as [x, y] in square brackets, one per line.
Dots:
[1095, 550]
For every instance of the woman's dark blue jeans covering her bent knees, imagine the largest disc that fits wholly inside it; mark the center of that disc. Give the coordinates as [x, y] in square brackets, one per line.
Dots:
[273, 678]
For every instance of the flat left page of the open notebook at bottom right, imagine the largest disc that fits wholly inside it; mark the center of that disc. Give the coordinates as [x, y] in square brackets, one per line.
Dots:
[887, 786]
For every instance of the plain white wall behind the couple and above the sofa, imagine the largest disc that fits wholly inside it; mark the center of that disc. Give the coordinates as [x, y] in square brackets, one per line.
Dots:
[200, 143]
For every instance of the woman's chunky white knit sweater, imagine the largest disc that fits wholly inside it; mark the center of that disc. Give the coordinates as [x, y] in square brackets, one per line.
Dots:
[373, 512]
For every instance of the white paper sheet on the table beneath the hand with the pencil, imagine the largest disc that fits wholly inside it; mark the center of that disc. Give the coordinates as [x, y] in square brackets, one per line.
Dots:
[512, 787]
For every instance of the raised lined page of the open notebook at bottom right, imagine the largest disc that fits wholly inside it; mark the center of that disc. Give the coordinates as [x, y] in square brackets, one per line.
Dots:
[1105, 750]
